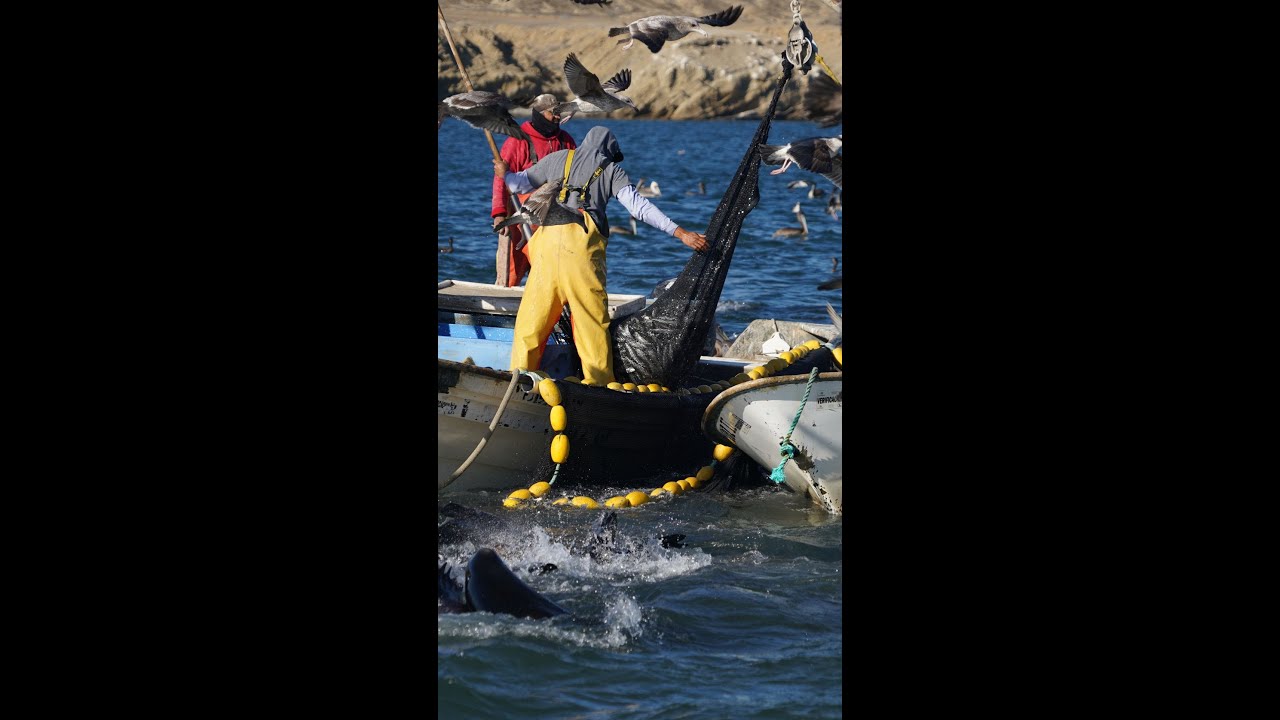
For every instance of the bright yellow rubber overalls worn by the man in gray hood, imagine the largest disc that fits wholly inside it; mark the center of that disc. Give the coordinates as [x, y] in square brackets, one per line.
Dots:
[568, 268]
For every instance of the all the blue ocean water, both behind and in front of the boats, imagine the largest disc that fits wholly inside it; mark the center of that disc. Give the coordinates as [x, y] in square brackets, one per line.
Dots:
[746, 621]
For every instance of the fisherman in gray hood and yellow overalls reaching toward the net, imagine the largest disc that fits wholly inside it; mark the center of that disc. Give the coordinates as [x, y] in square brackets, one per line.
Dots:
[569, 261]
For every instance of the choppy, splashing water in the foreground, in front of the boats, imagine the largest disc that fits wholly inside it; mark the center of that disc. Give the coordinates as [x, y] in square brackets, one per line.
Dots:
[743, 622]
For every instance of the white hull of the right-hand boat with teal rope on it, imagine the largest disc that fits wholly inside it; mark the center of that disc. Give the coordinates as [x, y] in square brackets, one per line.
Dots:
[755, 417]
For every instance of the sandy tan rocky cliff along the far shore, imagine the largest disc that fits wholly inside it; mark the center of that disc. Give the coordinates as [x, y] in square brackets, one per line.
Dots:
[519, 47]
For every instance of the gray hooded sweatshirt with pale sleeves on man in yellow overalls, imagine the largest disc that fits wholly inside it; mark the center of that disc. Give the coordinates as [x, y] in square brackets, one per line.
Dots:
[597, 147]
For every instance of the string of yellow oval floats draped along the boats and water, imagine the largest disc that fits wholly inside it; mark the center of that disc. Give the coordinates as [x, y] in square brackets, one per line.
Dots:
[551, 394]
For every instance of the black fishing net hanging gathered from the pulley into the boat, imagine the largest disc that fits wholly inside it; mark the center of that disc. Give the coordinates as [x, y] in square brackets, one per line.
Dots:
[664, 343]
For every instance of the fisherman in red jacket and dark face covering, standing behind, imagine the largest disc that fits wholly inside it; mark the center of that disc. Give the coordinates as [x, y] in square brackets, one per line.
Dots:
[543, 129]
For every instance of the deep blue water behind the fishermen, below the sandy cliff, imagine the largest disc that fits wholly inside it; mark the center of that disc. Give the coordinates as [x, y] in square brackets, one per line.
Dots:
[769, 279]
